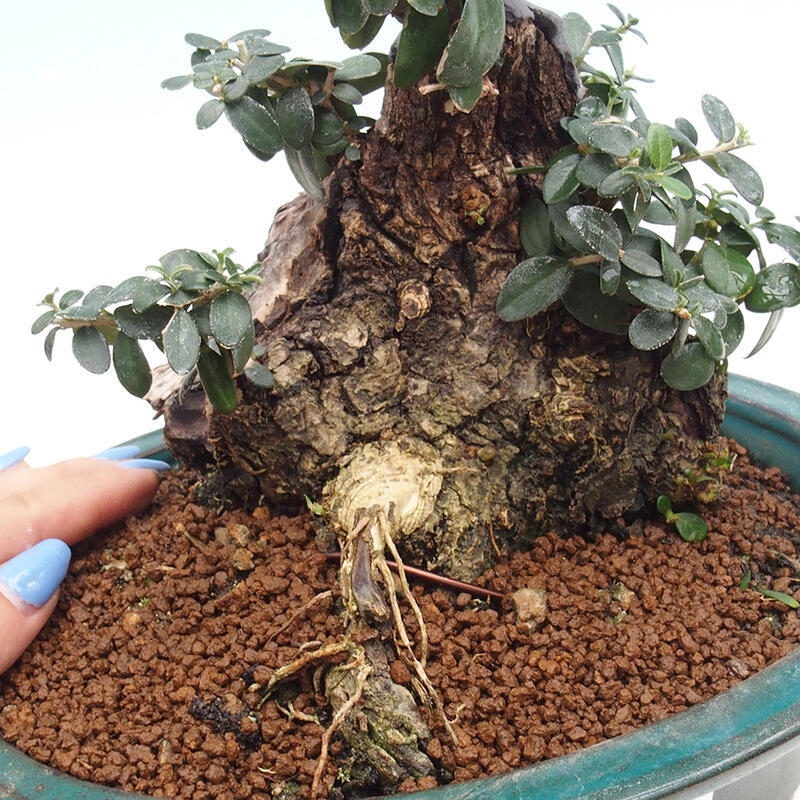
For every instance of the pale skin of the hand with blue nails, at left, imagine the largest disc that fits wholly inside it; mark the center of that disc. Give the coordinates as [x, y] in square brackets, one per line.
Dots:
[67, 501]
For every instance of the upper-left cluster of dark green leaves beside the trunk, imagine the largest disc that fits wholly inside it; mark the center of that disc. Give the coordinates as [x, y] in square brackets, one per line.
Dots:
[301, 106]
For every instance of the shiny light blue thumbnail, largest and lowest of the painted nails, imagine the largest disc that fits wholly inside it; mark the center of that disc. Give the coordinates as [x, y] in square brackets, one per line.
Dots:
[32, 577]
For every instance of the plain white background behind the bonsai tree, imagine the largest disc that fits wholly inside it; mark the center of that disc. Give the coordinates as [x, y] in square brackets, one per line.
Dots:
[104, 171]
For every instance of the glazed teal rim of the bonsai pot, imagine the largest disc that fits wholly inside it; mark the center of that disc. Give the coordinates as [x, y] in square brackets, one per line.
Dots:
[674, 754]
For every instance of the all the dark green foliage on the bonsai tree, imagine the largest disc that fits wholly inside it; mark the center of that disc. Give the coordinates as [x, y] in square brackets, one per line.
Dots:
[621, 235]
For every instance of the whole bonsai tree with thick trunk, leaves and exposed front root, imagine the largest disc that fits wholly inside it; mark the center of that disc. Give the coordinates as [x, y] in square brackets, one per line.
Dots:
[504, 307]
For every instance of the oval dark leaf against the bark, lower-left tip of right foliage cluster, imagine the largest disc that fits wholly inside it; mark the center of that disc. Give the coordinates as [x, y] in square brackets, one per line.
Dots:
[534, 284]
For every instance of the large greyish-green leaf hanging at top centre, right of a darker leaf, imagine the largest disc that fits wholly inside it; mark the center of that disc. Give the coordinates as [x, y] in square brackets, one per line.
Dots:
[475, 46]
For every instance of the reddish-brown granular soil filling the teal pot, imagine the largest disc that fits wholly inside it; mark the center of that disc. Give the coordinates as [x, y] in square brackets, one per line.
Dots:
[147, 677]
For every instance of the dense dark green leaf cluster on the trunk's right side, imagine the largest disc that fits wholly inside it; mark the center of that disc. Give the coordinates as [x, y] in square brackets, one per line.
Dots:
[620, 210]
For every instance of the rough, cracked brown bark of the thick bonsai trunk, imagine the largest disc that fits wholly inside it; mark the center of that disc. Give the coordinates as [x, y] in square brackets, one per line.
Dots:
[378, 316]
